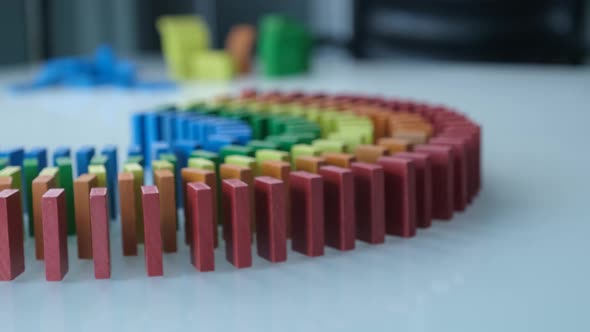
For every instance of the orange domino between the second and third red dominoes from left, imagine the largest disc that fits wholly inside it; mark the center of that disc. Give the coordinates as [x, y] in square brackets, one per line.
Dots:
[82, 187]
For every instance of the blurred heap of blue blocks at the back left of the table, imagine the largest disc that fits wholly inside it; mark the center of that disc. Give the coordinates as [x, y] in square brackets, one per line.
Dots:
[102, 69]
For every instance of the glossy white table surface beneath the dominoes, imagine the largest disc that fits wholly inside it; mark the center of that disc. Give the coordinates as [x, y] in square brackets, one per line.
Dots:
[516, 260]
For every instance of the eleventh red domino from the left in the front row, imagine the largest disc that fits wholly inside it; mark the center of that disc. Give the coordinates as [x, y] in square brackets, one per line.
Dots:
[400, 196]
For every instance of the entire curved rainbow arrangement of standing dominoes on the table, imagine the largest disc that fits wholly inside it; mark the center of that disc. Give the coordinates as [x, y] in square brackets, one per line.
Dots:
[317, 169]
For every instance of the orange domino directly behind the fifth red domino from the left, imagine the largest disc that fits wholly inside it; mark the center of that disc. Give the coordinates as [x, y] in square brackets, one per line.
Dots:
[190, 175]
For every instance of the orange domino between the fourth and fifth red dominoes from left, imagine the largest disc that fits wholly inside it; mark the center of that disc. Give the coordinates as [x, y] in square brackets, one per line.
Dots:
[164, 180]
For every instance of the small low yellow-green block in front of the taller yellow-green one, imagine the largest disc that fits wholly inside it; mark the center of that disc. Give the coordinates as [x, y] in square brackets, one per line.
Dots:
[213, 66]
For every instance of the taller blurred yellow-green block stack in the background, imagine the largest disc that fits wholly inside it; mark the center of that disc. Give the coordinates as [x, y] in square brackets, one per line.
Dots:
[183, 37]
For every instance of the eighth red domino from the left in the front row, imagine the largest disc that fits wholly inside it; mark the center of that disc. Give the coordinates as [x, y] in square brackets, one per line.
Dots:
[307, 213]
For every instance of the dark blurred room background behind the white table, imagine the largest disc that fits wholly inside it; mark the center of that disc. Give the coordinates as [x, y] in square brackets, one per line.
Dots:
[539, 31]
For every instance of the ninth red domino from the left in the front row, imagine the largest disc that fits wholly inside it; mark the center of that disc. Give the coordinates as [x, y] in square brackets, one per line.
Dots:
[339, 211]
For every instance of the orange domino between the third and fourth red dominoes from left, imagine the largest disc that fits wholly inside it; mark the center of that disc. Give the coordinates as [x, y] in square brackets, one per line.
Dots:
[128, 213]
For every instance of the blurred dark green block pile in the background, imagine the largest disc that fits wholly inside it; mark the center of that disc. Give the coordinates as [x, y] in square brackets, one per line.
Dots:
[284, 46]
